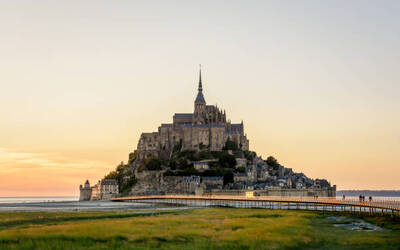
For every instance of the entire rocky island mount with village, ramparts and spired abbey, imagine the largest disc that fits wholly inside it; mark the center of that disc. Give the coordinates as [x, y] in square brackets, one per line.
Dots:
[202, 153]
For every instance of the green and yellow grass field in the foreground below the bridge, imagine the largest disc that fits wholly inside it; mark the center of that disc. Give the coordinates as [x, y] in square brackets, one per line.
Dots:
[218, 228]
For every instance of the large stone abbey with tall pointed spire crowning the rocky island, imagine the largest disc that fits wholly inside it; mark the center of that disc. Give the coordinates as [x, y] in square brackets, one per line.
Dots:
[206, 127]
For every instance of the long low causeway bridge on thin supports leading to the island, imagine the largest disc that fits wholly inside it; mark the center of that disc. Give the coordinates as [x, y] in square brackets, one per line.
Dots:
[383, 207]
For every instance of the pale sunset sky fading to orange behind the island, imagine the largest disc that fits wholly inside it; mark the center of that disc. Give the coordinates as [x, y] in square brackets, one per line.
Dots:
[317, 84]
